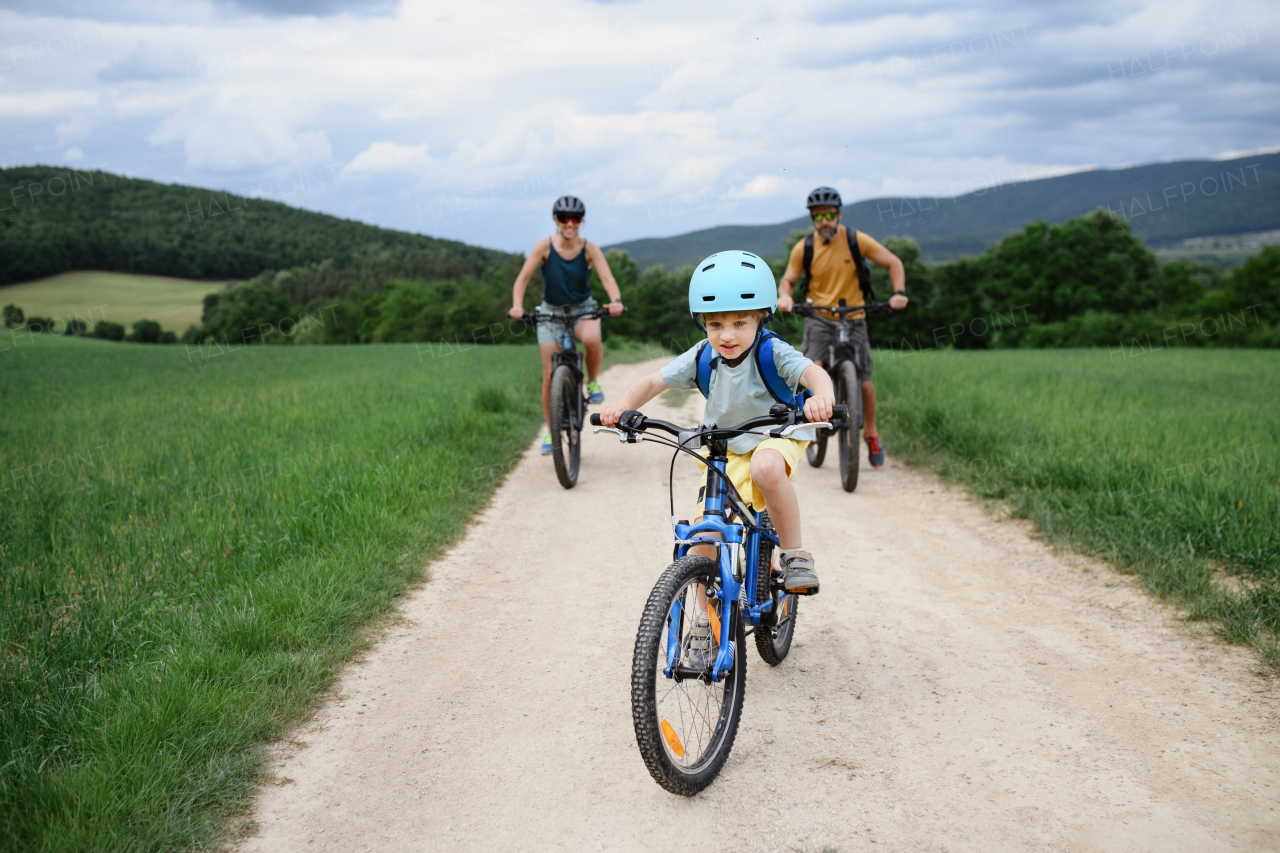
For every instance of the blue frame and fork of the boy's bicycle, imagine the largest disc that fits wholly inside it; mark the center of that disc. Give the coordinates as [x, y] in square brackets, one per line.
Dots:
[729, 546]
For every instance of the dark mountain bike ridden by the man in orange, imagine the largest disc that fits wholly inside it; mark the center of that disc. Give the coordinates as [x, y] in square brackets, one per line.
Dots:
[844, 364]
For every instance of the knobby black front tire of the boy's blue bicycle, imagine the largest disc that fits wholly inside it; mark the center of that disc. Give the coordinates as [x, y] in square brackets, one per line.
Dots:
[656, 736]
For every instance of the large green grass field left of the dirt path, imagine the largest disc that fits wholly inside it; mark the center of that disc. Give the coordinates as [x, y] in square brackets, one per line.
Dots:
[191, 545]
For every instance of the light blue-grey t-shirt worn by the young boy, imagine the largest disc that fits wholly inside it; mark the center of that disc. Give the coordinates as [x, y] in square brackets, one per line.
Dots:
[739, 394]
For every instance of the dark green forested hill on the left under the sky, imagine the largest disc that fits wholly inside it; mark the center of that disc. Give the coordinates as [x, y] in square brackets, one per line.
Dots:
[54, 221]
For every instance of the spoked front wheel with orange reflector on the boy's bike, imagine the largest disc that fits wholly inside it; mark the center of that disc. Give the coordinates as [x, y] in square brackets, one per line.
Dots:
[685, 723]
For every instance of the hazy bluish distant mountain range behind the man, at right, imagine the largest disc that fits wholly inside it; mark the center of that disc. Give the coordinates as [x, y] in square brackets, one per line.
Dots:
[1165, 203]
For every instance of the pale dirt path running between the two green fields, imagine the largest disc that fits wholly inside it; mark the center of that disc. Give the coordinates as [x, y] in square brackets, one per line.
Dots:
[956, 687]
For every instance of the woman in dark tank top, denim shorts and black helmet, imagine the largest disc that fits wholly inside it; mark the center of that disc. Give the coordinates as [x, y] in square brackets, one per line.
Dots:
[568, 261]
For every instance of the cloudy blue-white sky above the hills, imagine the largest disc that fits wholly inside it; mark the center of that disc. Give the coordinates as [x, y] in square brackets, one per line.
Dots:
[467, 120]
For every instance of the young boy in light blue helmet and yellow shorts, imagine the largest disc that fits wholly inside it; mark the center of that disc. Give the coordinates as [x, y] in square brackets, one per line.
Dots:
[732, 297]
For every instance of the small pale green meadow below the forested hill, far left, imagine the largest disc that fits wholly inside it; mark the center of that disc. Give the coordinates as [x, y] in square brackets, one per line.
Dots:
[120, 298]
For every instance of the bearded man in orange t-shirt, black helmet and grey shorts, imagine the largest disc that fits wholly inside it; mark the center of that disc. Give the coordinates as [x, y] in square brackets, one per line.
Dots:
[834, 277]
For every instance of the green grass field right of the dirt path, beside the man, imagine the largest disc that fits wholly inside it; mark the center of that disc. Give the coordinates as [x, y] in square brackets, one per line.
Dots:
[1164, 463]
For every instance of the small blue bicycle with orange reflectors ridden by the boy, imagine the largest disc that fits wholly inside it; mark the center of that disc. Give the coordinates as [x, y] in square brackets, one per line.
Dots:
[689, 665]
